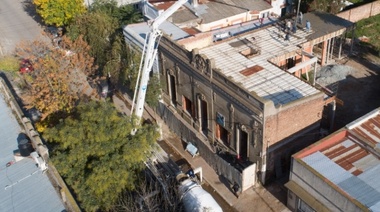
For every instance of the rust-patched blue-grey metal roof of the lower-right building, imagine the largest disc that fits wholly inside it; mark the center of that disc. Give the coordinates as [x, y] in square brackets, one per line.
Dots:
[350, 160]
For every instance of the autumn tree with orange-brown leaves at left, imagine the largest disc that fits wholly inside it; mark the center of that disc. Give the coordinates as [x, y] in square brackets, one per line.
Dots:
[59, 77]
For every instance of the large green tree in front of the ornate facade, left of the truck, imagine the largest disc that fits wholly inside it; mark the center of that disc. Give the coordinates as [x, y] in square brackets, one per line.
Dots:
[97, 155]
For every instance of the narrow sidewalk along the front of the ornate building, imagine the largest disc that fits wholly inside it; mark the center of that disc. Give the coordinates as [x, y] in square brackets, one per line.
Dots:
[254, 199]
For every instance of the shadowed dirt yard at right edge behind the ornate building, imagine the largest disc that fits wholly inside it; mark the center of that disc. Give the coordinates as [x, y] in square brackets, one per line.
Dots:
[360, 91]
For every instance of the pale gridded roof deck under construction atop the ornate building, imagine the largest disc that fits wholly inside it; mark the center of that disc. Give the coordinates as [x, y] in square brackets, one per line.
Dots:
[270, 83]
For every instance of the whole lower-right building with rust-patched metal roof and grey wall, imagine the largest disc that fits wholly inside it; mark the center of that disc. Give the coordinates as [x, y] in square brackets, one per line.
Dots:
[340, 172]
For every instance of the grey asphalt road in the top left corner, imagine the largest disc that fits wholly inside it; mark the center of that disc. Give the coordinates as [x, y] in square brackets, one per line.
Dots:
[18, 22]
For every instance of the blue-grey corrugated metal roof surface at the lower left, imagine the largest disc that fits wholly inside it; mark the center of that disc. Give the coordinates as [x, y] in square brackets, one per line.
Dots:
[24, 186]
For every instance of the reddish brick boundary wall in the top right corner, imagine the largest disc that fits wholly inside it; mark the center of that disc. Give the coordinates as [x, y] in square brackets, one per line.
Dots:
[362, 12]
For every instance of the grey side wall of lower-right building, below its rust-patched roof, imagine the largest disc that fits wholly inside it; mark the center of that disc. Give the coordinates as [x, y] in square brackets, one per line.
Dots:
[319, 188]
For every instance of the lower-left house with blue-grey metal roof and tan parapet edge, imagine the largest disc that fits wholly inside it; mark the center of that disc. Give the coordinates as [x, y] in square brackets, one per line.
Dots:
[27, 182]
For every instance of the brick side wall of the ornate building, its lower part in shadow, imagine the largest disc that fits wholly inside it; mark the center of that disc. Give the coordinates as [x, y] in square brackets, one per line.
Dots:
[287, 132]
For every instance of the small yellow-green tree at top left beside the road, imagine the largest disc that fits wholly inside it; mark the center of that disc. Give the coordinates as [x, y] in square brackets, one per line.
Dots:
[59, 12]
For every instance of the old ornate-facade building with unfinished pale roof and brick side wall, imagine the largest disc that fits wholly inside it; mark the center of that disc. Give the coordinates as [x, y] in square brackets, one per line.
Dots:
[235, 92]
